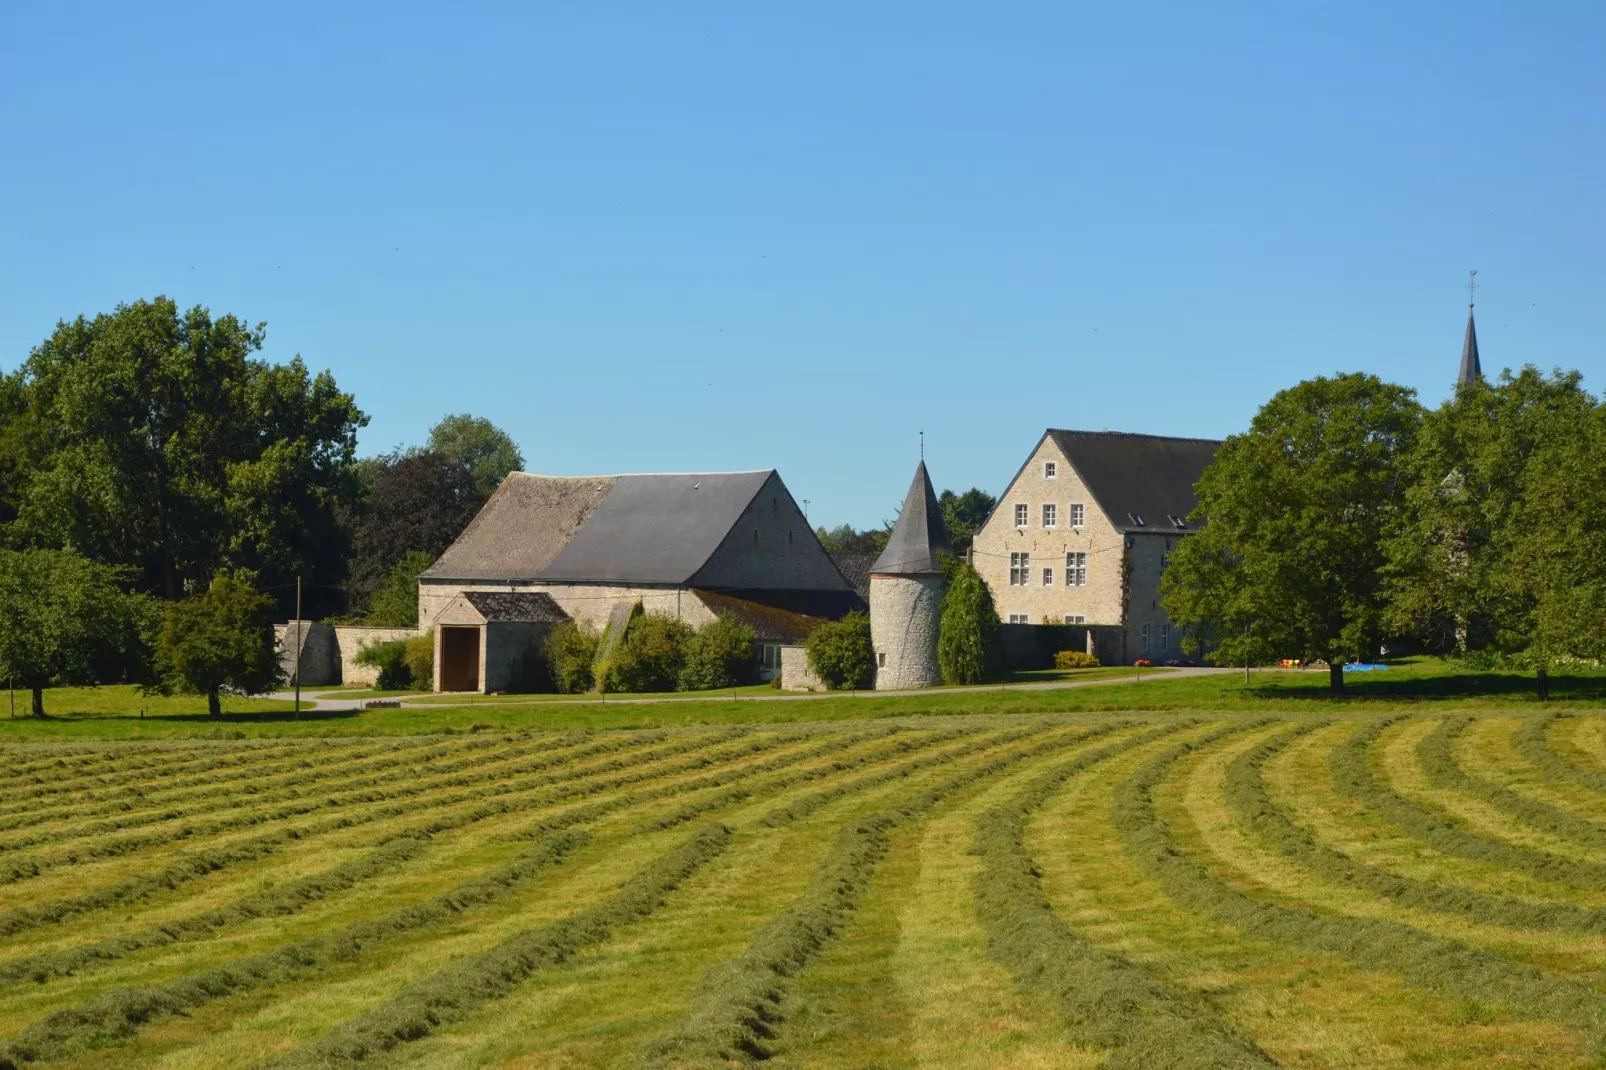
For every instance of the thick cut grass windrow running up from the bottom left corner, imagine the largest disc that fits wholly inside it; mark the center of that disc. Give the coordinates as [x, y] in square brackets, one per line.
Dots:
[121, 1013]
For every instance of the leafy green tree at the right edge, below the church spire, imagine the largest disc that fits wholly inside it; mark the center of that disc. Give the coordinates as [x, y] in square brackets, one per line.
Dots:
[1496, 549]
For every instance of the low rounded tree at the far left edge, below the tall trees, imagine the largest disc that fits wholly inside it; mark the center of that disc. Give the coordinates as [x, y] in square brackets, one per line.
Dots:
[63, 621]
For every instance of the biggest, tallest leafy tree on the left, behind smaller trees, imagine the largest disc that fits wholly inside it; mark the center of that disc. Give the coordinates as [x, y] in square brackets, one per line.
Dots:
[155, 439]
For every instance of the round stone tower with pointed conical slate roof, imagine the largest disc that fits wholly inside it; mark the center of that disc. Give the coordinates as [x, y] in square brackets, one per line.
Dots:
[907, 594]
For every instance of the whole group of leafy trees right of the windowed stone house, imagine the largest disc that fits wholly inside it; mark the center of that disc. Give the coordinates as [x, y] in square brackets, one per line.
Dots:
[1350, 520]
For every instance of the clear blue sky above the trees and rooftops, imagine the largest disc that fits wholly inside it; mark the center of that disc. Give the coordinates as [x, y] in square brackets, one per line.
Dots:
[714, 237]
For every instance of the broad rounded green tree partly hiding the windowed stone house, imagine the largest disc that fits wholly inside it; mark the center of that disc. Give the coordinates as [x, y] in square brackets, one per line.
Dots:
[1290, 563]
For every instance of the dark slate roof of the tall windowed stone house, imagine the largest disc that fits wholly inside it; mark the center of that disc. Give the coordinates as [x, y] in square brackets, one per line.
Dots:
[1139, 476]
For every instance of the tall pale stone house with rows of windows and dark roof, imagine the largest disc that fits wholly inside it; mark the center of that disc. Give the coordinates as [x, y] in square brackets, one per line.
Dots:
[1085, 531]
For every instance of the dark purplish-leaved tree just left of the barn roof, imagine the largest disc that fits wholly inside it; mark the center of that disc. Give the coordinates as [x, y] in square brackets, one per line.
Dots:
[418, 502]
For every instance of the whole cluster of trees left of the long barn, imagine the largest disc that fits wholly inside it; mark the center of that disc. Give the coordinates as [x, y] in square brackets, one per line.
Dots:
[163, 489]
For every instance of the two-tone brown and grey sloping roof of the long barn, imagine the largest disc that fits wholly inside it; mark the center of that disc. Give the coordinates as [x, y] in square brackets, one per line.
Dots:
[600, 529]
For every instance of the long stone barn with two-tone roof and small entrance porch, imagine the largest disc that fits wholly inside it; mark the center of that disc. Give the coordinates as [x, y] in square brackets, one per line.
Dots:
[696, 547]
